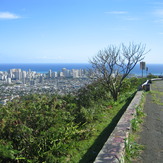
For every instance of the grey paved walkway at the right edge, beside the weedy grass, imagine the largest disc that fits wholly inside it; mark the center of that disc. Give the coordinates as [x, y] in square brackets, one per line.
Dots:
[152, 134]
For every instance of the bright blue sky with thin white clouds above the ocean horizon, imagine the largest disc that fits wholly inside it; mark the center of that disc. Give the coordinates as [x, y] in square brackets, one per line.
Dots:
[73, 31]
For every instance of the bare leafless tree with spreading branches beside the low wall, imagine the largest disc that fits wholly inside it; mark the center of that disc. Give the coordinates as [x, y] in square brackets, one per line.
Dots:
[113, 64]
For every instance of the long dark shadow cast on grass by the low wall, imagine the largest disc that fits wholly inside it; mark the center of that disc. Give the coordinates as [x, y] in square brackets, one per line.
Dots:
[93, 151]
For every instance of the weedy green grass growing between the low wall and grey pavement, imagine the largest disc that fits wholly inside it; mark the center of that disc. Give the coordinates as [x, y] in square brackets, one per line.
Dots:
[133, 149]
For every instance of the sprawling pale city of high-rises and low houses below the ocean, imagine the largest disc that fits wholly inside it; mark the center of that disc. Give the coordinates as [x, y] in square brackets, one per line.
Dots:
[16, 82]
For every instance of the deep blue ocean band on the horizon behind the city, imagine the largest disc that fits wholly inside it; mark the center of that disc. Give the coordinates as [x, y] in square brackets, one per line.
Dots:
[155, 69]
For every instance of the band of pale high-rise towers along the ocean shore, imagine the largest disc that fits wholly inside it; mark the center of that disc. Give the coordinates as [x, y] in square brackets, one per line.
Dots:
[31, 76]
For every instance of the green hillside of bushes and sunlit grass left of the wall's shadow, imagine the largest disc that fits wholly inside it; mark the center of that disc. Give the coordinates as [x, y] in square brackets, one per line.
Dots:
[42, 128]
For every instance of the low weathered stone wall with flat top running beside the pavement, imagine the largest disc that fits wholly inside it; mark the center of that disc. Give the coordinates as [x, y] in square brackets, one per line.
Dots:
[114, 149]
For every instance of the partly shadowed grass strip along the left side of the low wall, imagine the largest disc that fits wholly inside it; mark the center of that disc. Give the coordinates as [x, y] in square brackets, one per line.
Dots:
[89, 149]
